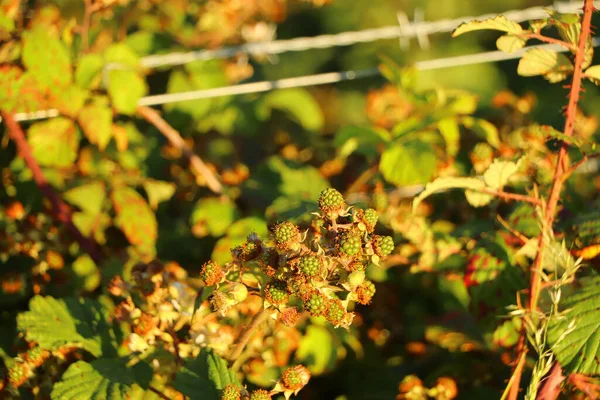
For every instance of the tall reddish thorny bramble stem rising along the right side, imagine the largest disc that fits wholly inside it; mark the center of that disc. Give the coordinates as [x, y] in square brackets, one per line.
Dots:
[557, 184]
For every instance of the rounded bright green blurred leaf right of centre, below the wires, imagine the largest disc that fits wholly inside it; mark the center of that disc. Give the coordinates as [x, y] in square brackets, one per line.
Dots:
[408, 163]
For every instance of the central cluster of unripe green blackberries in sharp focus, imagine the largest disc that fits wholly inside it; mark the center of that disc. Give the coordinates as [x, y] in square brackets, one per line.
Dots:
[317, 269]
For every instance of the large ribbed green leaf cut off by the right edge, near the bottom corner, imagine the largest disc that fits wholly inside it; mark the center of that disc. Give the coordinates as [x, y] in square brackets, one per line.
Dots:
[574, 335]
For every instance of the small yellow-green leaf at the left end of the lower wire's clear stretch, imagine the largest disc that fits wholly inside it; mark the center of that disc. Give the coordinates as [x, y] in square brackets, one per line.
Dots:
[125, 89]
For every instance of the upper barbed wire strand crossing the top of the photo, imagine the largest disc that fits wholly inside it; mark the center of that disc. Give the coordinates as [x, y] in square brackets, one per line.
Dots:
[405, 30]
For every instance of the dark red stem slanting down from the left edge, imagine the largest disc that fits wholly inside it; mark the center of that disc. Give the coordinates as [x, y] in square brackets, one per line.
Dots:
[60, 209]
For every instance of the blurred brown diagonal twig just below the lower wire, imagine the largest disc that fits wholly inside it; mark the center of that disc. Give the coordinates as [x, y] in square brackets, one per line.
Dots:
[153, 117]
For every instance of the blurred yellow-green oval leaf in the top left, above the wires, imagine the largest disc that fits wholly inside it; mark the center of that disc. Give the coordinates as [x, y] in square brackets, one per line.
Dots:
[46, 58]
